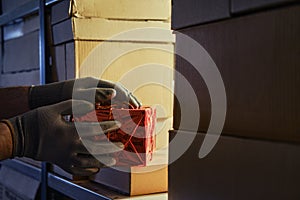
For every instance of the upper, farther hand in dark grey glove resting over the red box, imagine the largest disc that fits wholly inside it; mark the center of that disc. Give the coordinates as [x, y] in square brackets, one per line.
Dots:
[89, 89]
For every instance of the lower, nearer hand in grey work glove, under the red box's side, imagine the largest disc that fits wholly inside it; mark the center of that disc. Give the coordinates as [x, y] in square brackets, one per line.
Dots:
[43, 134]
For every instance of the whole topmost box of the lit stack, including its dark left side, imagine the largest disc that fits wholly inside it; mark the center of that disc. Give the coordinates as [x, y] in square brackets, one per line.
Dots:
[105, 9]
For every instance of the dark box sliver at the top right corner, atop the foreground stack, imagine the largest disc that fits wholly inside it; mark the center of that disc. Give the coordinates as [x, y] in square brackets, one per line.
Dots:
[238, 6]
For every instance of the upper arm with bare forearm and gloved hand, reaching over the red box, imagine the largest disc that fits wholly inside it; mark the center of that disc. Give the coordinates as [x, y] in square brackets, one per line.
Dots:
[18, 100]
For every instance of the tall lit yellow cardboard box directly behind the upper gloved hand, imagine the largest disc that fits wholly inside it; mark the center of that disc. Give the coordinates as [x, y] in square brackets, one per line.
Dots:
[127, 67]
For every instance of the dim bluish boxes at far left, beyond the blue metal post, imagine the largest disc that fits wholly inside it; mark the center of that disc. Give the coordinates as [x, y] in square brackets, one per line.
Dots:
[20, 48]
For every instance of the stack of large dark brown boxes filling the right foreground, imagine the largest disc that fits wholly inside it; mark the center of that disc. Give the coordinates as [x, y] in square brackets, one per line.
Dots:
[255, 45]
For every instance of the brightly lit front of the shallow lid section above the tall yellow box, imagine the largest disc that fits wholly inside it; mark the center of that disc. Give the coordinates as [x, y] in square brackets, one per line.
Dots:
[104, 29]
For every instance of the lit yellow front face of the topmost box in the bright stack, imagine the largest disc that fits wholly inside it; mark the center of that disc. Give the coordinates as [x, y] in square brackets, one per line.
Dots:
[122, 9]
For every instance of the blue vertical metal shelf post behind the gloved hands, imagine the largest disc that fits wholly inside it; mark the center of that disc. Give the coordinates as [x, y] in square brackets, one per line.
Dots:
[43, 63]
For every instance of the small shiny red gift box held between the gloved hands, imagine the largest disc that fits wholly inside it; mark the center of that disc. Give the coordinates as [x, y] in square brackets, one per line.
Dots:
[137, 132]
